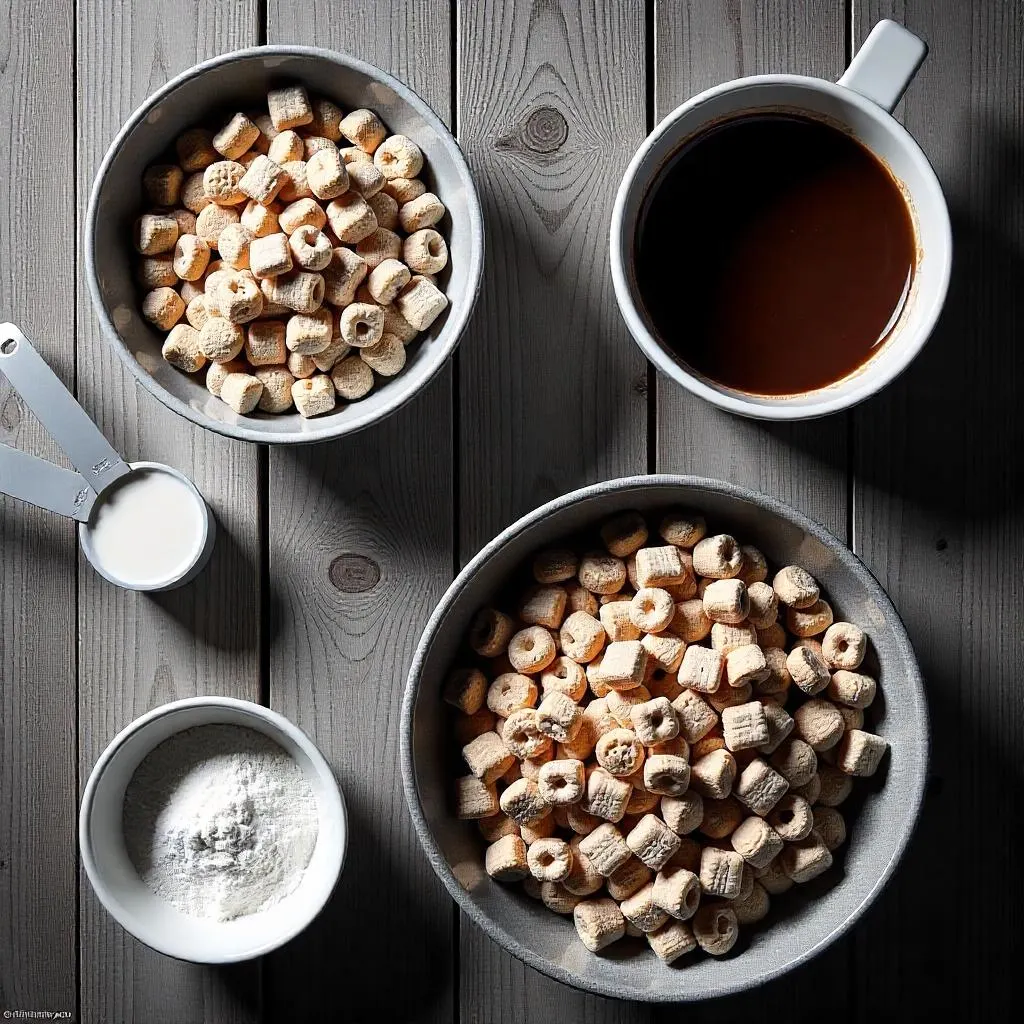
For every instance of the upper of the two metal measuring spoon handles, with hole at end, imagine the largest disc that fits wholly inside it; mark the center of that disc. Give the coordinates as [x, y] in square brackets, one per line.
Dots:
[57, 409]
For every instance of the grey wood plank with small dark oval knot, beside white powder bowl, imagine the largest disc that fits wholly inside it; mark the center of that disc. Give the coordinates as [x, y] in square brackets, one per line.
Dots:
[343, 644]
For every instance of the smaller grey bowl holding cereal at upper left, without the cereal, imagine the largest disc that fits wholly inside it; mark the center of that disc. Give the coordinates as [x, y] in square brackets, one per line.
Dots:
[240, 80]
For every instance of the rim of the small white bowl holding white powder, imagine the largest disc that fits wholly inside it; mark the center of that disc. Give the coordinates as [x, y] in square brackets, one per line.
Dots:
[336, 810]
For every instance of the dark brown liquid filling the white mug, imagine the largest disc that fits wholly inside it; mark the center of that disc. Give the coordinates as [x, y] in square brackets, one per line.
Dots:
[775, 254]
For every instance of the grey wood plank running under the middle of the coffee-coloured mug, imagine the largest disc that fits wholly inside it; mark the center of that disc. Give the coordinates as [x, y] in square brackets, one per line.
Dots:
[699, 46]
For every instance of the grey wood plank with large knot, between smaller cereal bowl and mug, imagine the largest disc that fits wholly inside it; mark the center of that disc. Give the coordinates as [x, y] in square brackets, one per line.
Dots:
[552, 393]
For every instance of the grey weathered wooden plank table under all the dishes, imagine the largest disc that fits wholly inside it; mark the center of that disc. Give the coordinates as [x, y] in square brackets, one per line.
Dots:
[332, 558]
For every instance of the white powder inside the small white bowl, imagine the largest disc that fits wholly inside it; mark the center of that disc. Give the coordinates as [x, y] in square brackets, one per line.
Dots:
[221, 822]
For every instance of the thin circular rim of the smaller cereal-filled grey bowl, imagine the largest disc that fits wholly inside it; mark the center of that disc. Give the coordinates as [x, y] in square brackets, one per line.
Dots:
[452, 331]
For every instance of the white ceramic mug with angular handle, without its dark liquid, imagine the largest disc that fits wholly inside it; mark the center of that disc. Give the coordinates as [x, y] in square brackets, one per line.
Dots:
[862, 102]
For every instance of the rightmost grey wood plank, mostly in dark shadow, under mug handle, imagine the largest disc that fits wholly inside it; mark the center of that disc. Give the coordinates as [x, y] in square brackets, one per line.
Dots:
[937, 517]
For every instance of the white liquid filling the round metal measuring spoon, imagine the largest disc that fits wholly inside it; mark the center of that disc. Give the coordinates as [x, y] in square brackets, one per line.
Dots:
[149, 530]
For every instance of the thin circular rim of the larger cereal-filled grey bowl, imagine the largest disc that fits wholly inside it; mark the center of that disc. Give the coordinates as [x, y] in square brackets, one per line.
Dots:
[917, 763]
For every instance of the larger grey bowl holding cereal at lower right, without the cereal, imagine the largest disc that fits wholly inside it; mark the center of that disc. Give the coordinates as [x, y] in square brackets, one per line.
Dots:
[802, 922]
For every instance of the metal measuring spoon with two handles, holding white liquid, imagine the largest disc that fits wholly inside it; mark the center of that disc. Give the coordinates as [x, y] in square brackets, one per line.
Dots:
[106, 493]
